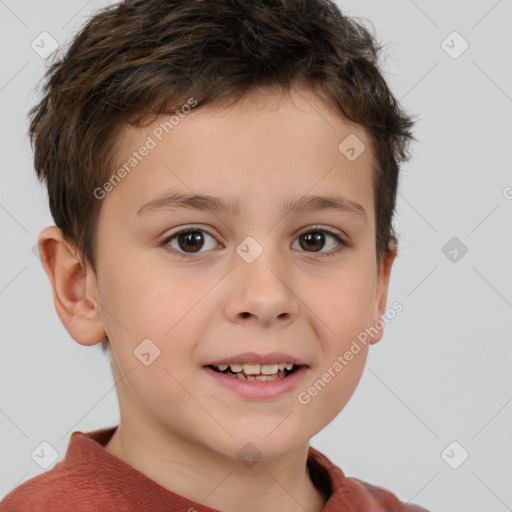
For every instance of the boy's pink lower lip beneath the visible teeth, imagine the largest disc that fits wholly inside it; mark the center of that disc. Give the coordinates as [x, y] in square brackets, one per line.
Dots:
[259, 389]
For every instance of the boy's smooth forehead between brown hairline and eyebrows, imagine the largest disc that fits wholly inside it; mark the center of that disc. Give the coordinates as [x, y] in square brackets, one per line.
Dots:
[267, 146]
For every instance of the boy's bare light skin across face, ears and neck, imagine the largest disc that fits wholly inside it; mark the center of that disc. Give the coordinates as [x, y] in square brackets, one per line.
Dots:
[176, 427]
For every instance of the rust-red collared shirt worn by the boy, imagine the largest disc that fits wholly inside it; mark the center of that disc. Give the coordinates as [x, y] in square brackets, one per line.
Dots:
[91, 479]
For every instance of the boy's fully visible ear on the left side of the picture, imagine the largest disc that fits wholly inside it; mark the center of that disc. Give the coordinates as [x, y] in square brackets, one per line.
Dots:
[74, 287]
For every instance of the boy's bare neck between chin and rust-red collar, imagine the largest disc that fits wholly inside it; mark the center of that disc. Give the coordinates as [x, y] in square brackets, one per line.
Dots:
[214, 480]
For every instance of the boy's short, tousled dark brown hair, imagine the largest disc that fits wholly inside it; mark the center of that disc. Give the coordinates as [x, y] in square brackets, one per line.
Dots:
[141, 58]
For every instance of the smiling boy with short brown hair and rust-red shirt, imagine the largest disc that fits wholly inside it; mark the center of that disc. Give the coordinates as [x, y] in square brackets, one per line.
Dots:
[223, 177]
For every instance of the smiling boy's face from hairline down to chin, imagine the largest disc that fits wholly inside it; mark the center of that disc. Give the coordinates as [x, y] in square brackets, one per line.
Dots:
[298, 297]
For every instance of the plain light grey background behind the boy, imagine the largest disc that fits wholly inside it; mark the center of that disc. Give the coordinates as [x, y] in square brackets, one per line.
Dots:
[442, 371]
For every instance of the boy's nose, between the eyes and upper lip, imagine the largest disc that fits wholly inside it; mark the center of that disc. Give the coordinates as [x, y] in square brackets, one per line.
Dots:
[262, 292]
